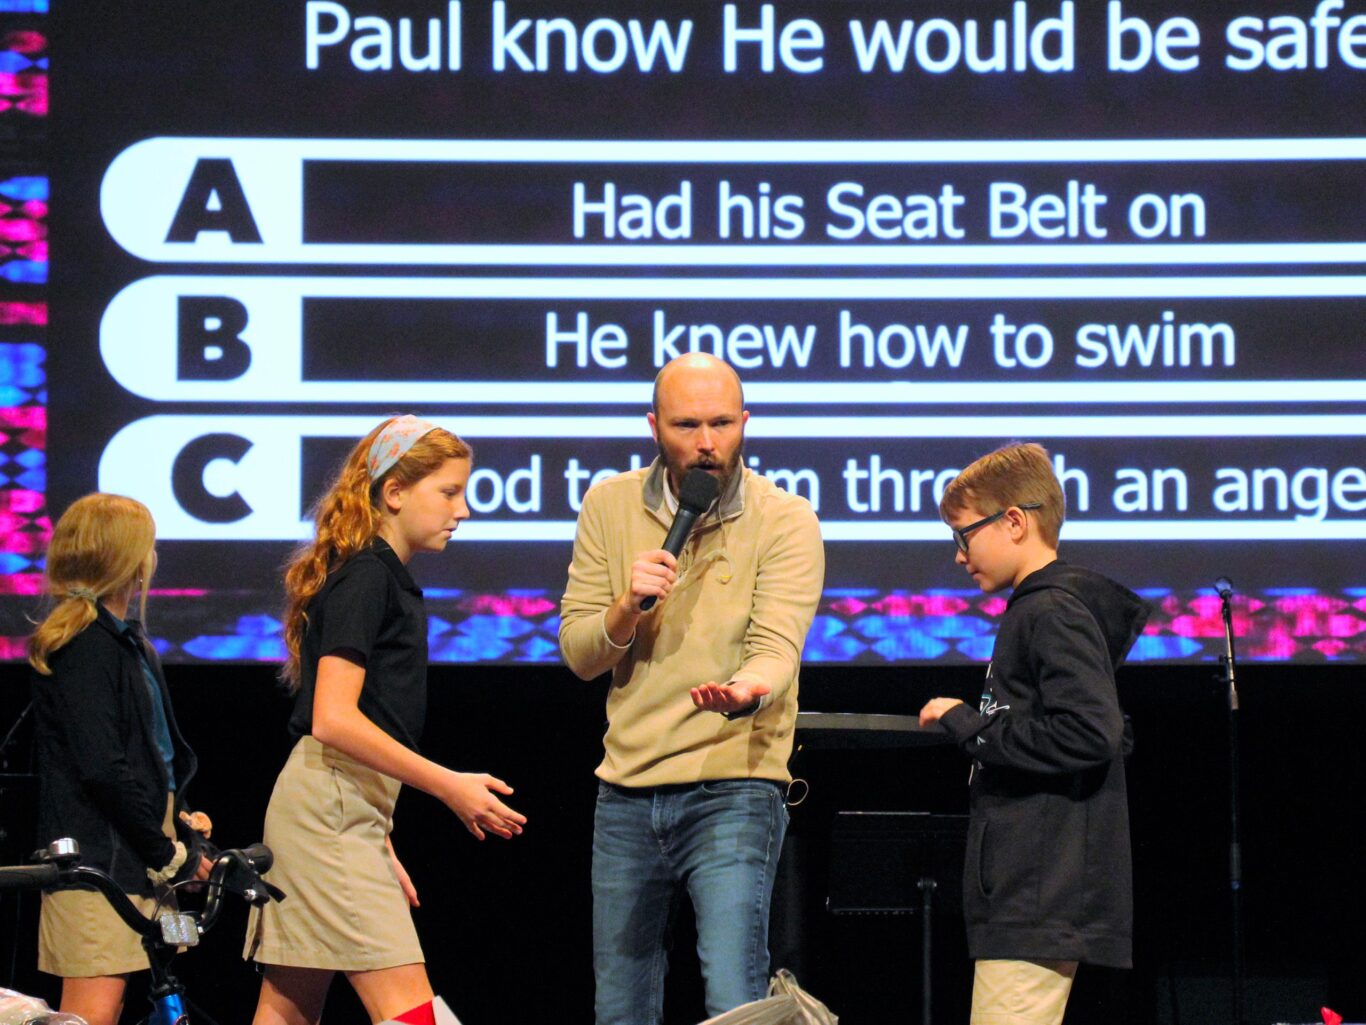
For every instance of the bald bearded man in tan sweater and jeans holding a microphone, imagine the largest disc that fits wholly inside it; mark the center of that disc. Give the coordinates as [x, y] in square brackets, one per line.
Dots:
[703, 702]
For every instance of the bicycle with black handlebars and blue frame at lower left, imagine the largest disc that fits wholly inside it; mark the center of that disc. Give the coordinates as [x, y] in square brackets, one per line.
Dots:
[163, 933]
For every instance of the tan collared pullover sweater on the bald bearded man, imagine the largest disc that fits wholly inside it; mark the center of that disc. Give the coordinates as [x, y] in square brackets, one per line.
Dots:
[749, 584]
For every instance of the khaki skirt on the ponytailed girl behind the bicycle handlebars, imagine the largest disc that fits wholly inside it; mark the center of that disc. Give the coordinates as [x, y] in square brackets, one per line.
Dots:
[81, 937]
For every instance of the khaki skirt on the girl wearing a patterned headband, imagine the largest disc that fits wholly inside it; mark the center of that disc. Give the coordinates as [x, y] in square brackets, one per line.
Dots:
[345, 908]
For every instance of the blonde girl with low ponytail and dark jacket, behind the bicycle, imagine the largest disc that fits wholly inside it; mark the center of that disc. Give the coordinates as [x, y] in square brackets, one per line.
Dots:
[113, 765]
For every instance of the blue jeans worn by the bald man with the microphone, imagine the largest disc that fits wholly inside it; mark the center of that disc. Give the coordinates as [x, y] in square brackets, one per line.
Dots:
[721, 843]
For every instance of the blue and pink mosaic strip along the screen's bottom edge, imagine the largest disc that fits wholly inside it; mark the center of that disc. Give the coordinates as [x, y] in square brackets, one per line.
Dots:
[852, 627]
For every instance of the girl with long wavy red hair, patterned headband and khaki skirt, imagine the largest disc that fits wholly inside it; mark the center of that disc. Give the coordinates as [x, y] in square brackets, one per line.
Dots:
[356, 632]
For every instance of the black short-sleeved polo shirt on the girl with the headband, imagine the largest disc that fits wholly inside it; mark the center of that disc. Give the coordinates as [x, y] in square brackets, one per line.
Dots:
[372, 607]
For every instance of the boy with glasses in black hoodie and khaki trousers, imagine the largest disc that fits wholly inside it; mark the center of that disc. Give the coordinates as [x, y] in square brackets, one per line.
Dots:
[1047, 882]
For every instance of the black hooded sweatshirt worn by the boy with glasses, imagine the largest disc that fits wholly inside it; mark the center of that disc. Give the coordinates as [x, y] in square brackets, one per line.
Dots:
[1048, 873]
